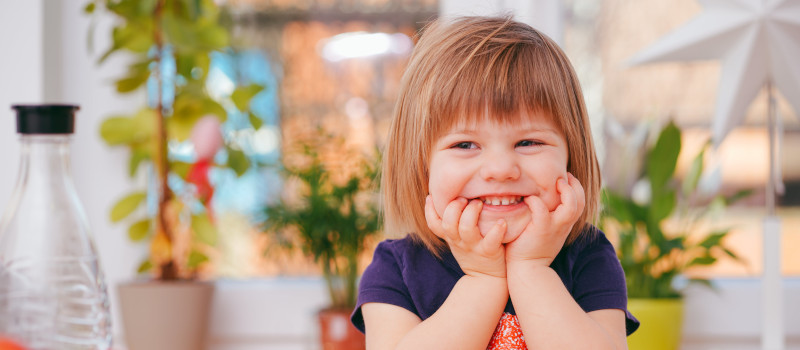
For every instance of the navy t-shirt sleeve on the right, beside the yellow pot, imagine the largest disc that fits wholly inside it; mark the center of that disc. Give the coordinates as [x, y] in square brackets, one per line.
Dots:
[600, 281]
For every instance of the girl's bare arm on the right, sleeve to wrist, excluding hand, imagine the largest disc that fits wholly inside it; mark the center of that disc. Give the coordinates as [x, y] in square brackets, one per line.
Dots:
[551, 319]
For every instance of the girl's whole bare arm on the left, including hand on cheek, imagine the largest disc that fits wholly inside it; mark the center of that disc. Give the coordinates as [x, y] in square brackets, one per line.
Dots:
[469, 315]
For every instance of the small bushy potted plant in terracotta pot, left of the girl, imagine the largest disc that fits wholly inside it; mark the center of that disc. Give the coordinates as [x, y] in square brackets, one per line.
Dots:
[329, 216]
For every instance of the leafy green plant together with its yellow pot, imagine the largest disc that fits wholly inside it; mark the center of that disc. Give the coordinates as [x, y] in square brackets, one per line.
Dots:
[656, 222]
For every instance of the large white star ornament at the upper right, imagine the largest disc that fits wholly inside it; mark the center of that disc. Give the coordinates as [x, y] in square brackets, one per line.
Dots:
[758, 42]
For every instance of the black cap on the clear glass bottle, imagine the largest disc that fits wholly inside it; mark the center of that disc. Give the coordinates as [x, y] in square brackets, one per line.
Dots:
[45, 119]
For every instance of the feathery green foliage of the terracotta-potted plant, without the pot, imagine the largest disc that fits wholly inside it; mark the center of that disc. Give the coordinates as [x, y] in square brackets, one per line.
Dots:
[332, 221]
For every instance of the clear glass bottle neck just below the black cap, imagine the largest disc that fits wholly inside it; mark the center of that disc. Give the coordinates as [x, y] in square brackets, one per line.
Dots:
[44, 157]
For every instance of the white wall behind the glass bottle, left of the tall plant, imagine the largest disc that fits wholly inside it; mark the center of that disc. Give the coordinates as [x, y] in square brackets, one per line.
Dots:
[45, 60]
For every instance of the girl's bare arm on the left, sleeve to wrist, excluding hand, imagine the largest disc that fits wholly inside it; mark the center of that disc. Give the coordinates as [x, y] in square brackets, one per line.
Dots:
[466, 320]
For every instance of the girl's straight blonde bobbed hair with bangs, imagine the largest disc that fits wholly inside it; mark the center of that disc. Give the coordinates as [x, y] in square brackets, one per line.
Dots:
[468, 68]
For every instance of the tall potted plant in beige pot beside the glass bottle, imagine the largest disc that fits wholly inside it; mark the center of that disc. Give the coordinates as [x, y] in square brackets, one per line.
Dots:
[170, 43]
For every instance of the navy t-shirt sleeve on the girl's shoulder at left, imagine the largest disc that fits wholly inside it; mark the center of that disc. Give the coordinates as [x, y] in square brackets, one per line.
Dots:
[382, 282]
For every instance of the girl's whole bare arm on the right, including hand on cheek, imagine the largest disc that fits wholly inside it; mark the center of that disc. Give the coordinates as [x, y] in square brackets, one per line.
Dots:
[549, 316]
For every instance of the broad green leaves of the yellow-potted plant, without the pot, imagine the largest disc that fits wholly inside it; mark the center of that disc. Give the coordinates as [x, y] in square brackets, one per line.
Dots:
[651, 257]
